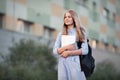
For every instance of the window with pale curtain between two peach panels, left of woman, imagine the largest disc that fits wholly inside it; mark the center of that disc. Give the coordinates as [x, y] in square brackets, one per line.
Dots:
[24, 26]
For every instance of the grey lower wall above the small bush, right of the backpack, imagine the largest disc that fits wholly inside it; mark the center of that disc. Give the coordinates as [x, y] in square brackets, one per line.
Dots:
[101, 55]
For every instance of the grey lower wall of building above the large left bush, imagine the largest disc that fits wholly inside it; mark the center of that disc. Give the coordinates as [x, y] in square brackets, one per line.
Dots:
[8, 38]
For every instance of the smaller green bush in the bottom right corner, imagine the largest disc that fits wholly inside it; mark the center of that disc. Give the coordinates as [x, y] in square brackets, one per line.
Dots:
[105, 71]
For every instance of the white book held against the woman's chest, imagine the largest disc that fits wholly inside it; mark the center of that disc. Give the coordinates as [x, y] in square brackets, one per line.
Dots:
[67, 40]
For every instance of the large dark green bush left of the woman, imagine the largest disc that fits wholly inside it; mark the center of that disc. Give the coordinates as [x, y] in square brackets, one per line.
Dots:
[29, 61]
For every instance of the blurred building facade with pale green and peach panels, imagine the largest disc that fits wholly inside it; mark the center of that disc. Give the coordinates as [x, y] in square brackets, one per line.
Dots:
[44, 19]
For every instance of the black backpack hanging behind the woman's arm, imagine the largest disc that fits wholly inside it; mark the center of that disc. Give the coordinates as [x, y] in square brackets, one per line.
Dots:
[87, 62]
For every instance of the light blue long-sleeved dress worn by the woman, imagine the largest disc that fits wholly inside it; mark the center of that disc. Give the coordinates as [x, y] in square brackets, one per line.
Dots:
[69, 68]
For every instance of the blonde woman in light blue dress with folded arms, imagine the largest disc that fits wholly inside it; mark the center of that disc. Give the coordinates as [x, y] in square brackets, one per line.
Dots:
[68, 60]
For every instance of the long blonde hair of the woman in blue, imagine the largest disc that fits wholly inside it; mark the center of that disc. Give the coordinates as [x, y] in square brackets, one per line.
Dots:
[79, 29]
